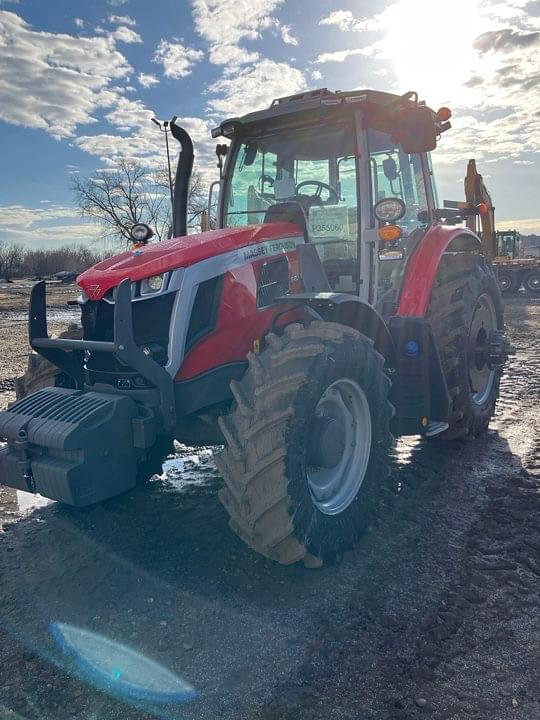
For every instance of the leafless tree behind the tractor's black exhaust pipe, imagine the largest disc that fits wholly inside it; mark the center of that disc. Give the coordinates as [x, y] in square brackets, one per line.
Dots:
[130, 194]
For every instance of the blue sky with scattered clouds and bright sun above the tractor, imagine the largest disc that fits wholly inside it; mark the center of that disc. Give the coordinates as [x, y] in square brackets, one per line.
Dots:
[80, 82]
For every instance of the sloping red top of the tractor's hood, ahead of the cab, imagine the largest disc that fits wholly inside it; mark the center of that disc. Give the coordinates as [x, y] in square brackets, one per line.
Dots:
[148, 260]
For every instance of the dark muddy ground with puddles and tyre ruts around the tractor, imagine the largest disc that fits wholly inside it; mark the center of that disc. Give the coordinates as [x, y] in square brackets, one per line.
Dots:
[435, 615]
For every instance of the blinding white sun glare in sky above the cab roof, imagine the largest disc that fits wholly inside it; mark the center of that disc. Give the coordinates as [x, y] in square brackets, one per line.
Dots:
[430, 44]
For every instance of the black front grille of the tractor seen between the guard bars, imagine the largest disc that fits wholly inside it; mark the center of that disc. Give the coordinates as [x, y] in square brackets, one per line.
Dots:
[151, 321]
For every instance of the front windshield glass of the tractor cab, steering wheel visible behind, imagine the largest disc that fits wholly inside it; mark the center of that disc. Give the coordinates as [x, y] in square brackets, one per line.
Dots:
[307, 176]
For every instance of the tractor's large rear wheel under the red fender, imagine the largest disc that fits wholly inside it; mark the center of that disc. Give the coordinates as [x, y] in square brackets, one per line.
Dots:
[465, 313]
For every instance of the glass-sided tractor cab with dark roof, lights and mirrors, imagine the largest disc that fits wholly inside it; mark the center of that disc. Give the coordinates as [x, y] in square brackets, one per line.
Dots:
[351, 170]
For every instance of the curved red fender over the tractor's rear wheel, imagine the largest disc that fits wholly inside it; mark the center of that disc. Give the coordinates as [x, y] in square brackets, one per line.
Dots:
[422, 269]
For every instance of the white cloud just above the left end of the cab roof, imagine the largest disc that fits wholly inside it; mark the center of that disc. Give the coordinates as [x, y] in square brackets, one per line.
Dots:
[255, 87]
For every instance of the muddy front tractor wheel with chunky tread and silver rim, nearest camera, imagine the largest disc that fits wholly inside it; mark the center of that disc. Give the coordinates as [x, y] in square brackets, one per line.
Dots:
[307, 443]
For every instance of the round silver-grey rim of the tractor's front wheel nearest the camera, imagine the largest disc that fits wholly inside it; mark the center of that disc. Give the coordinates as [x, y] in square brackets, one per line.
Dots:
[343, 408]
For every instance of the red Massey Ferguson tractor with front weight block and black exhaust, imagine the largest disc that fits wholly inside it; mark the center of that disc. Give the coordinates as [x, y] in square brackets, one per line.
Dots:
[334, 308]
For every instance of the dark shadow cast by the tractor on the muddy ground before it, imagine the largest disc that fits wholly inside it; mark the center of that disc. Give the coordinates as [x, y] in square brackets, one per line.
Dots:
[159, 570]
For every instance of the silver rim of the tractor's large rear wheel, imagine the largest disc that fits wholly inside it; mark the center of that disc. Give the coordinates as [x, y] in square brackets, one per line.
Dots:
[481, 375]
